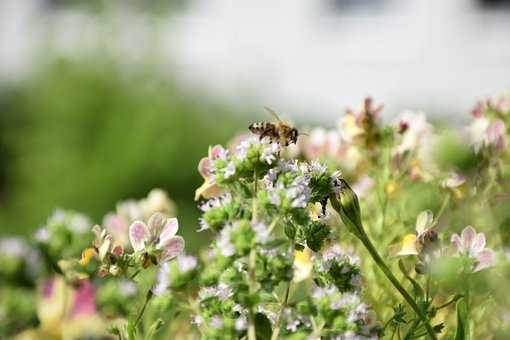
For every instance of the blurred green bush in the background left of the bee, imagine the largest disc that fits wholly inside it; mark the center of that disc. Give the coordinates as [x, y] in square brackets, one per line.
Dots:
[87, 134]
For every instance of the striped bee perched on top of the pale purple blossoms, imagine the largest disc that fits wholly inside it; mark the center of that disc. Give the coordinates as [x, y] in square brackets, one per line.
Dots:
[279, 131]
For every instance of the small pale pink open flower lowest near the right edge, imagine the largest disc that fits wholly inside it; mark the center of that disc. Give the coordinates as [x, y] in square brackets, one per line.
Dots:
[472, 245]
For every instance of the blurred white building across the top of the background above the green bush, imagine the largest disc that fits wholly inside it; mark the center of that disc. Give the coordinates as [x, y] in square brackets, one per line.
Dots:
[298, 56]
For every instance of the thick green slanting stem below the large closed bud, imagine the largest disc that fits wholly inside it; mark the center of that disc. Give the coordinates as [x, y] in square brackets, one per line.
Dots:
[382, 265]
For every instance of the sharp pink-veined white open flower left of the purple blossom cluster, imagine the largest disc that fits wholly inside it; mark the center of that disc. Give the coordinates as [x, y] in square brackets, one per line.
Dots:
[159, 235]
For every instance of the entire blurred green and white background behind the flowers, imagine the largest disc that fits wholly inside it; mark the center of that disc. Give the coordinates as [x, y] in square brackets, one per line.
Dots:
[103, 100]
